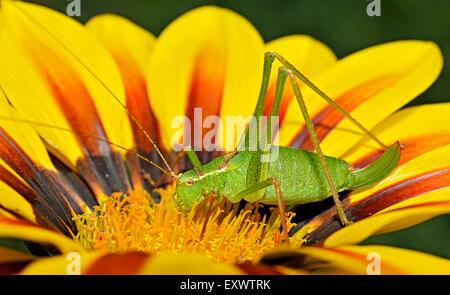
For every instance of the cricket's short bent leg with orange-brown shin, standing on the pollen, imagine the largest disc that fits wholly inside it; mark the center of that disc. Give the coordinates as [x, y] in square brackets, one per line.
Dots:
[281, 206]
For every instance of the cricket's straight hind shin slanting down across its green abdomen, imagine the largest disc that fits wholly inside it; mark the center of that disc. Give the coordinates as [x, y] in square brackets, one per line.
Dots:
[316, 144]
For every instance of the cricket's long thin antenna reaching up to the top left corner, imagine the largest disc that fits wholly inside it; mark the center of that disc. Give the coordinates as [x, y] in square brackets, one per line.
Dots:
[133, 118]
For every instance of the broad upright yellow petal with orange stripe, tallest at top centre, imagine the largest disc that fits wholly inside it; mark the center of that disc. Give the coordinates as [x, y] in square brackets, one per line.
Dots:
[209, 57]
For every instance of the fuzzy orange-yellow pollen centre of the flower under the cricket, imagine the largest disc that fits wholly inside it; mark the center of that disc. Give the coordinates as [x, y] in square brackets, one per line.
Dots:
[223, 231]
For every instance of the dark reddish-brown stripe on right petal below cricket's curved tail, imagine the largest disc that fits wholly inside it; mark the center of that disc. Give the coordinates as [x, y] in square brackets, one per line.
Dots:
[326, 223]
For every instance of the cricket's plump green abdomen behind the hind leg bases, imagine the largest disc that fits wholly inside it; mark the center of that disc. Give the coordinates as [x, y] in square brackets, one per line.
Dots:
[301, 177]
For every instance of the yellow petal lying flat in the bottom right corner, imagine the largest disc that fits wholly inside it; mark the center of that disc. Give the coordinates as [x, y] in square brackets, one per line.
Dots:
[362, 260]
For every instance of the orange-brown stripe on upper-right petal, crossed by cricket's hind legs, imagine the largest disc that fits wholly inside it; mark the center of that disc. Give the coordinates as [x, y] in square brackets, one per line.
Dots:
[327, 118]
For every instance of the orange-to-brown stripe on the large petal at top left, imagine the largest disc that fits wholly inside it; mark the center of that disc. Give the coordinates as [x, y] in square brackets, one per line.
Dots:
[101, 167]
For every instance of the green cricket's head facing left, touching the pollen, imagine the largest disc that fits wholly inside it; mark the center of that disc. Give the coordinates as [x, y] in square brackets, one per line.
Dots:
[189, 190]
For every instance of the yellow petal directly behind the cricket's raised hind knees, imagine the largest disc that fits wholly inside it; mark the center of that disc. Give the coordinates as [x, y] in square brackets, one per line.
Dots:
[309, 55]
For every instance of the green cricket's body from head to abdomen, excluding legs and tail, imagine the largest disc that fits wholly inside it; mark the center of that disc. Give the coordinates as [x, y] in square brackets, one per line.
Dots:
[299, 172]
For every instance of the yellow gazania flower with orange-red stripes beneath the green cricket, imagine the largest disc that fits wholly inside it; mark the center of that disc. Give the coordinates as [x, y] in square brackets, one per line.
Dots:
[72, 187]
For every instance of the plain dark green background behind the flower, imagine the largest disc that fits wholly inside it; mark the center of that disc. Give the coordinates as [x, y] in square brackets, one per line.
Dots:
[345, 27]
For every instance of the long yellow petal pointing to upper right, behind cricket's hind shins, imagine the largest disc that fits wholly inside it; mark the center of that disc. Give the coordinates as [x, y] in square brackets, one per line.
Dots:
[370, 84]
